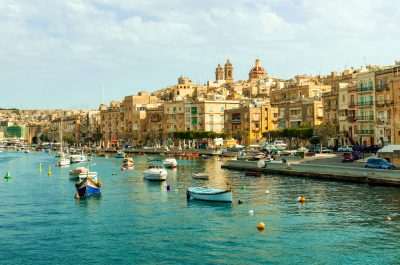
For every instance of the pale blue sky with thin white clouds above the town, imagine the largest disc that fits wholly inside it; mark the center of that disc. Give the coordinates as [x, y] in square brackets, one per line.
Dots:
[64, 54]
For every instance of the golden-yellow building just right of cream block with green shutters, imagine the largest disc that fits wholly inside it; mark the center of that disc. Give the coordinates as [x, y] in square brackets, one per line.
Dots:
[249, 121]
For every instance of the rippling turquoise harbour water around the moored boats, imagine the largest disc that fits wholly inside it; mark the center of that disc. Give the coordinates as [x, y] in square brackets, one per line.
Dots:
[140, 222]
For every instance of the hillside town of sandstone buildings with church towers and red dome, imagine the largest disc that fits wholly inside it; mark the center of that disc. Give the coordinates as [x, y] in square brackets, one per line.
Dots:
[361, 104]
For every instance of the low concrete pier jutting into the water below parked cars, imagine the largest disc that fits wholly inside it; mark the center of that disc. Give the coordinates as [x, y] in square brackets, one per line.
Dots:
[359, 175]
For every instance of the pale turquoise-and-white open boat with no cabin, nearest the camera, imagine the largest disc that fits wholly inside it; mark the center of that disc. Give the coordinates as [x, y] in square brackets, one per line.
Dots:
[205, 194]
